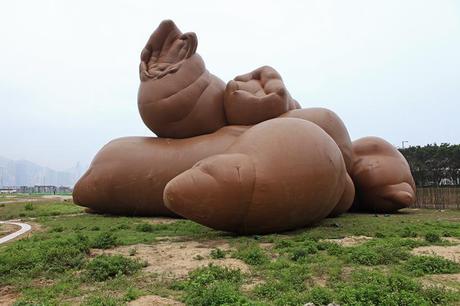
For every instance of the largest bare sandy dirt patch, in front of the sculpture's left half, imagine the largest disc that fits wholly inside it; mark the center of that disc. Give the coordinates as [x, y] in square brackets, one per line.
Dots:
[177, 259]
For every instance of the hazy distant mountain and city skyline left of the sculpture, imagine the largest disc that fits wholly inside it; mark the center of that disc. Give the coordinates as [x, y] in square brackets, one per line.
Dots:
[26, 173]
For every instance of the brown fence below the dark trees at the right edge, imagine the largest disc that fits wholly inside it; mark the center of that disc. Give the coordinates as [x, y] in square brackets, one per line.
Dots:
[438, 197]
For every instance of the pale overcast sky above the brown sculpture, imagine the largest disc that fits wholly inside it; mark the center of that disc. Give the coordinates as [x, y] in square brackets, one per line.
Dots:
[69, 69]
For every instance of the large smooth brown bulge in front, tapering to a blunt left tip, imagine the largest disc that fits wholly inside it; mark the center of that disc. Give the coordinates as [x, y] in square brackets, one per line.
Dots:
[279, 175]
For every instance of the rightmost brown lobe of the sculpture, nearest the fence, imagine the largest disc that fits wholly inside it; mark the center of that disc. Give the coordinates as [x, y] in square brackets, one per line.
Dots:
[382, 177]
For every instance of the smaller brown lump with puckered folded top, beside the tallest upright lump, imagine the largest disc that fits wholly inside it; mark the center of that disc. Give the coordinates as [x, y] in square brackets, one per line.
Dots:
[257, 96]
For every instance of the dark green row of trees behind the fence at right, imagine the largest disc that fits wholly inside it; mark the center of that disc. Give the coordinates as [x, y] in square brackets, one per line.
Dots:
[434, 165]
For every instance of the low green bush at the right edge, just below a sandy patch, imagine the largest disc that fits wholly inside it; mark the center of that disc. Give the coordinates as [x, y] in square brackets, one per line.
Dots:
[420, 265]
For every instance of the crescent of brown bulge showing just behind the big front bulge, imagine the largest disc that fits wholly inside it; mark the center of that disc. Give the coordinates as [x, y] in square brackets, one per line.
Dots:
[331, 124]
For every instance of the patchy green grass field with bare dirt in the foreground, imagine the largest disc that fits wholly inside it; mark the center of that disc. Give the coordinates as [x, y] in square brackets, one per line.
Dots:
[357, 259]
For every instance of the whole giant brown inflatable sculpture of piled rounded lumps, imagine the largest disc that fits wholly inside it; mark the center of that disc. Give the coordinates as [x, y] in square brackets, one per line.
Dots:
[242, 157]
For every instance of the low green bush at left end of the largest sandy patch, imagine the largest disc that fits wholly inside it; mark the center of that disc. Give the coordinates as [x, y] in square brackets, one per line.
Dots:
[104, 267]
